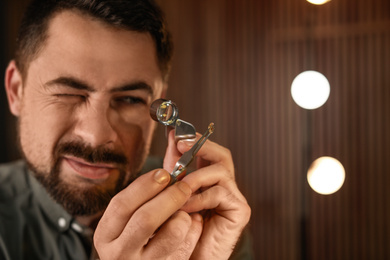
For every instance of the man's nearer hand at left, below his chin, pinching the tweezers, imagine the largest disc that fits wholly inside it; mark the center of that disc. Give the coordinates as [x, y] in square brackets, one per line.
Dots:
[144, 221]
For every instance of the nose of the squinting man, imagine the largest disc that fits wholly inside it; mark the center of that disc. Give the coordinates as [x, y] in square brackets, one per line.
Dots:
[95, 125]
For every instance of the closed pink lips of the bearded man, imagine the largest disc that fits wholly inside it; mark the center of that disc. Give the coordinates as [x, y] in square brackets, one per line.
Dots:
[88, 170]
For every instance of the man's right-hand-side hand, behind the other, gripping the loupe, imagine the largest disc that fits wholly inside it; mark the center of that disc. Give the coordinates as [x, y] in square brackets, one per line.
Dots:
[215, 194]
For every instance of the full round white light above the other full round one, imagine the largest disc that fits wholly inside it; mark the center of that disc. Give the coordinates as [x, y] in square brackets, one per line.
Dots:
[310, 89]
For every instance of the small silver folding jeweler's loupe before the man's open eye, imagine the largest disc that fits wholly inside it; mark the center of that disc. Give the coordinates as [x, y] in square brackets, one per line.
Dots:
[167, 113]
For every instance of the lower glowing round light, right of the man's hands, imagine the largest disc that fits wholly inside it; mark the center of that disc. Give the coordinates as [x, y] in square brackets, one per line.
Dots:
[326, 175]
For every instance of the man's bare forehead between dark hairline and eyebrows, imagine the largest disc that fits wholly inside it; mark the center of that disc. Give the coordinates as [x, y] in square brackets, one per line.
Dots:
[80, 45]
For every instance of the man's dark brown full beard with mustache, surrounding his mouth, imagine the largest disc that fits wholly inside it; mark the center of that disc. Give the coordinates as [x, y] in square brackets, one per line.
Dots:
[93, 198]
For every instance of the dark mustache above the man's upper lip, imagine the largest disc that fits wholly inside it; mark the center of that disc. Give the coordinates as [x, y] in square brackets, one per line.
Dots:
[90, 154]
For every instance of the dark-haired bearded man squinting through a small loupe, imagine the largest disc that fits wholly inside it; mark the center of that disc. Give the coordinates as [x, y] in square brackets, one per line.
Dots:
[81, 84]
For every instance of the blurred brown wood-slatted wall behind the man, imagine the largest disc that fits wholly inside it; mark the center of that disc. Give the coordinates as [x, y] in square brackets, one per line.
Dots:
[234, 65]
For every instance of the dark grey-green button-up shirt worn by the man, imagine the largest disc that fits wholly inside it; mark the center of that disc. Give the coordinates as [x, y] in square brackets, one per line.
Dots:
[33, 226]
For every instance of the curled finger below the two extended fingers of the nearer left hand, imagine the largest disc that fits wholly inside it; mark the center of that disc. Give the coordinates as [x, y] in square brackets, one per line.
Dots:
[169, 237]
